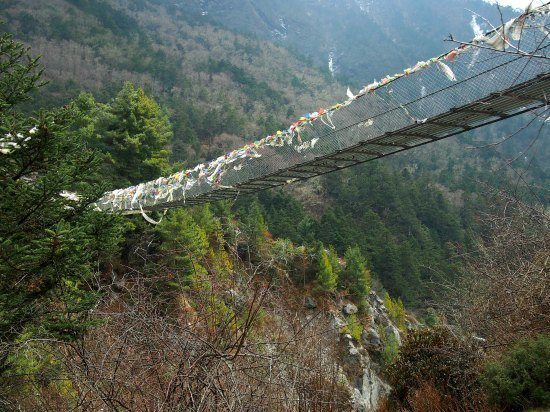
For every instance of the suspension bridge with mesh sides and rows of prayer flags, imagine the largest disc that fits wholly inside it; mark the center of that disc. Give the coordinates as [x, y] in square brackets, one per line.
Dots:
[498, 75]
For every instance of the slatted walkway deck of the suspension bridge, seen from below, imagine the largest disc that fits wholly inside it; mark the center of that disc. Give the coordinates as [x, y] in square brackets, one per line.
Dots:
[496, 107]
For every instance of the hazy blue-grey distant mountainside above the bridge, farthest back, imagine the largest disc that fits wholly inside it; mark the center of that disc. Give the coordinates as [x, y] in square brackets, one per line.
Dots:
[362, 38]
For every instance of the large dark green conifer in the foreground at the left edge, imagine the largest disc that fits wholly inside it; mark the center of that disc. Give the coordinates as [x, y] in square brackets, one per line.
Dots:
[50, 239]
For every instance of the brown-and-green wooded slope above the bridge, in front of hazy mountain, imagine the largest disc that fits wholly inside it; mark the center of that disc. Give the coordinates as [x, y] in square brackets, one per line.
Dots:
[214, 82]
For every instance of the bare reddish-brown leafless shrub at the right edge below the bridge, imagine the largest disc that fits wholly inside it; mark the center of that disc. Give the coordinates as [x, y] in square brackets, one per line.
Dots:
[505, 292]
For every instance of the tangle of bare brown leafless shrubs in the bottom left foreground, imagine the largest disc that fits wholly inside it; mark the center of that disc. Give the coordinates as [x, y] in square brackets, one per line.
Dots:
[158, 348]
